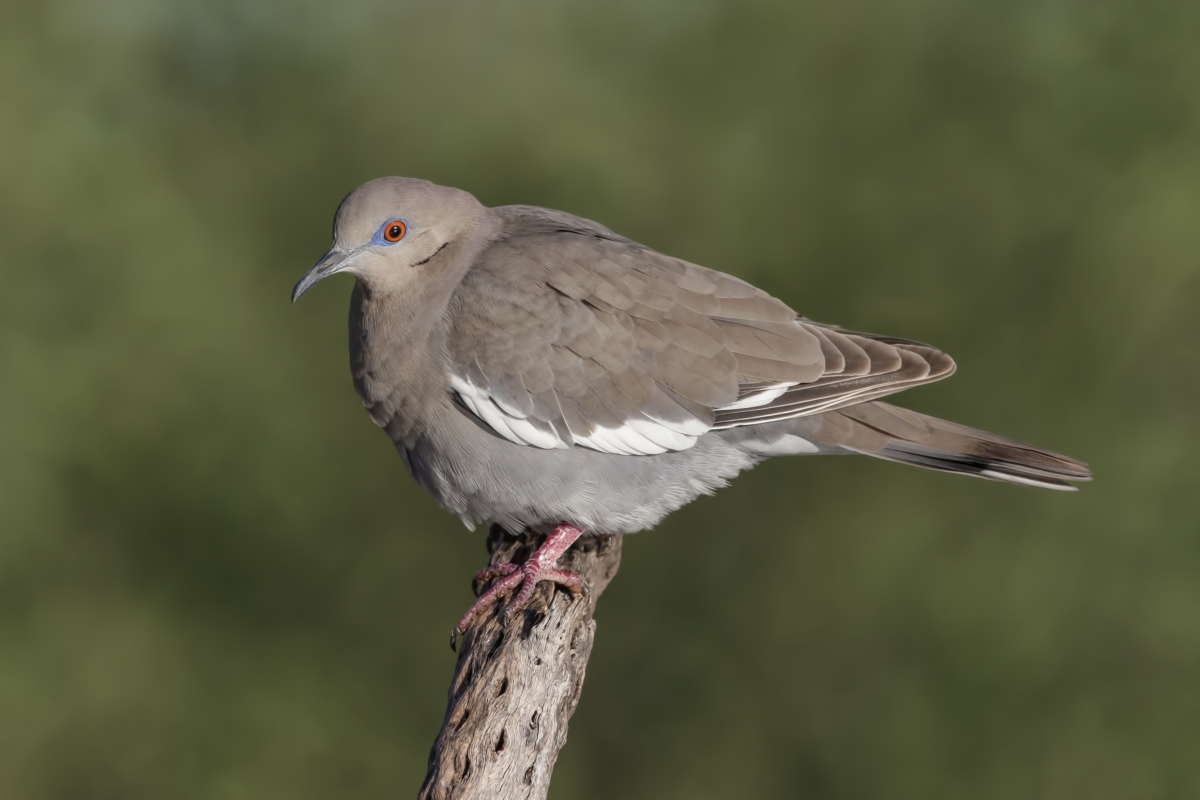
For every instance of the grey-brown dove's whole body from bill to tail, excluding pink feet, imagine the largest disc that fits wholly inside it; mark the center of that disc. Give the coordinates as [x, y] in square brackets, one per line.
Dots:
[535, 368]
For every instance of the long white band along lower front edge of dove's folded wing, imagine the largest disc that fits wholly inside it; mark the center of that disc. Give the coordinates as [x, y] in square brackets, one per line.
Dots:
[641, 436]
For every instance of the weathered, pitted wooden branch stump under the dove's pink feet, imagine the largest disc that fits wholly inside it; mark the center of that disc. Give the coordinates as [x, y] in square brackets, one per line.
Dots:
[517, 687]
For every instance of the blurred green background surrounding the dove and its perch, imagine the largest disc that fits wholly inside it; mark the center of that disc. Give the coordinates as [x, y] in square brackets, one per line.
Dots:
[218, 582]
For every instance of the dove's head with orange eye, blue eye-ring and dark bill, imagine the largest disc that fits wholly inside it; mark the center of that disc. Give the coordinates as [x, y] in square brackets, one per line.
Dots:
[388, 228]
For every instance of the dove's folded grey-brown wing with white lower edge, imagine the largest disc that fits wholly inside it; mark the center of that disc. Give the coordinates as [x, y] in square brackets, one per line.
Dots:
[567, 335]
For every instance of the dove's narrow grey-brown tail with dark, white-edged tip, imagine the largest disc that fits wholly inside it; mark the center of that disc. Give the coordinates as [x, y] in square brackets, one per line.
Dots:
[898, 435]
